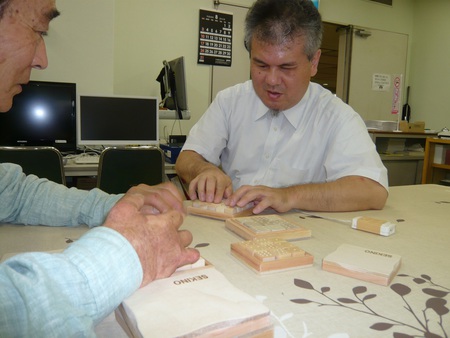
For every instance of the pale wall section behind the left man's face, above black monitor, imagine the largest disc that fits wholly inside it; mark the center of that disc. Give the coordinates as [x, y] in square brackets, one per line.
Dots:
[80, 46]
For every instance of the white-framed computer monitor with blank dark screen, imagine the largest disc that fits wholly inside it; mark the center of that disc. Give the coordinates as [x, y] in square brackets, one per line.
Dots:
[117, 121]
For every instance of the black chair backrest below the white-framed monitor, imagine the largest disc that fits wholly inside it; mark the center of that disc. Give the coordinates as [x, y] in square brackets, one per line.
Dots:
[121, 168]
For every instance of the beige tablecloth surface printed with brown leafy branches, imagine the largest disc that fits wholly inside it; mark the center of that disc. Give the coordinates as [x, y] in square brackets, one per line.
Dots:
[312, 302]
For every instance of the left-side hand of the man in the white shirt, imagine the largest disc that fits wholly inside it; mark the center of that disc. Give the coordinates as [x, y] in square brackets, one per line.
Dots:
[211, 185]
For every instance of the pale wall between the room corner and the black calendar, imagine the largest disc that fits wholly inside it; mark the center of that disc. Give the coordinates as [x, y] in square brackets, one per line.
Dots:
[148, 32]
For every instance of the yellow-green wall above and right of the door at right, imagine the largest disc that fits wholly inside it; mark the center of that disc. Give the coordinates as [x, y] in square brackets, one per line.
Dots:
[428, 69]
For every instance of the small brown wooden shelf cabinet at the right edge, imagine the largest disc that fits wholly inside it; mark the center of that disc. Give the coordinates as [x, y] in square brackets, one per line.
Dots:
[436, 168]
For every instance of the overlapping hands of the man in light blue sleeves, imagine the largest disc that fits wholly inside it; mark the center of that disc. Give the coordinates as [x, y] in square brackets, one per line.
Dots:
[149, 218]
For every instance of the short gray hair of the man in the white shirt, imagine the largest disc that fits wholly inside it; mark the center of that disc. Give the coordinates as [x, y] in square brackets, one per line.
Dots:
[281, 21]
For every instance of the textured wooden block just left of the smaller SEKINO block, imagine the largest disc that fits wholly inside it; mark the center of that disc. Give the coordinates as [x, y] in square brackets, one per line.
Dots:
[271, 254]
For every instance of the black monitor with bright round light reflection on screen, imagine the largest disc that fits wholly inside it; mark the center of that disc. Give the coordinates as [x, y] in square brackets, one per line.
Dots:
[43, 114]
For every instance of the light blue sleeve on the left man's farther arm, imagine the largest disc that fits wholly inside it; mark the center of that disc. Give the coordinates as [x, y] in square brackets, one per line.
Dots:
[34, 201]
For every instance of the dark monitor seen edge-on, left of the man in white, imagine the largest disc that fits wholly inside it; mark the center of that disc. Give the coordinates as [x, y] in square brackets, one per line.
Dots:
[172, 79]
